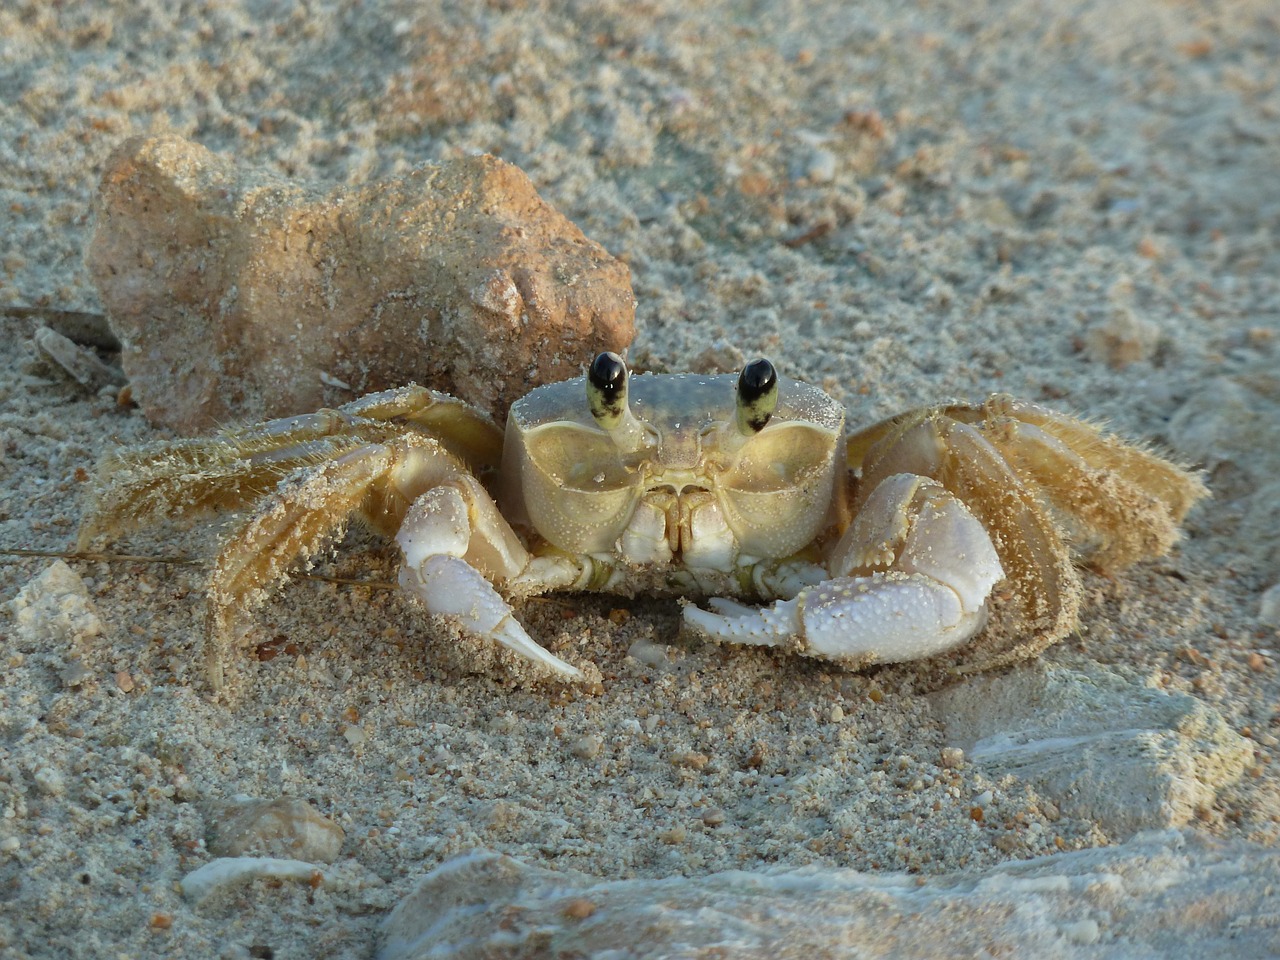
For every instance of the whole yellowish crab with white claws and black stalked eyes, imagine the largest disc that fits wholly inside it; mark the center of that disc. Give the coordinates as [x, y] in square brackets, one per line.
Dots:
[886, 545]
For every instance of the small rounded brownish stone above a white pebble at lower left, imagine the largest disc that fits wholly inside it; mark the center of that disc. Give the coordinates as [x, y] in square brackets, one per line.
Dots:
[284, 828]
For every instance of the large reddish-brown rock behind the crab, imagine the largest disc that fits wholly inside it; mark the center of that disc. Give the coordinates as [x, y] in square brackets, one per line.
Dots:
[237, 295]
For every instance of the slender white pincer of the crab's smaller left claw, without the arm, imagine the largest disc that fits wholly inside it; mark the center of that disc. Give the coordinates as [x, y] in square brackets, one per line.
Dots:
[452, 588]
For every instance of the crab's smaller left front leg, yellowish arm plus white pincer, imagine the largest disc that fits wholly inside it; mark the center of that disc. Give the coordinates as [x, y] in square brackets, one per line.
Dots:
[455, 545]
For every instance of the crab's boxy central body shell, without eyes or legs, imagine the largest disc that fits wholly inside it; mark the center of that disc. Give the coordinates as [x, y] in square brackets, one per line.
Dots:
[694, 491]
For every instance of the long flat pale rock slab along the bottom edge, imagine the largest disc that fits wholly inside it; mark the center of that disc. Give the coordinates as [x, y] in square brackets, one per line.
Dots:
[1160, 895]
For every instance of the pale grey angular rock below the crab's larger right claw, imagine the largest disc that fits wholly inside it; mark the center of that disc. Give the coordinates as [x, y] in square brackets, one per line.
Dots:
[1098, 746]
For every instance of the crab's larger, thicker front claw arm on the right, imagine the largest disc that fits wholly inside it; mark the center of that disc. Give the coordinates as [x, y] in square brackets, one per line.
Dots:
[911, 579]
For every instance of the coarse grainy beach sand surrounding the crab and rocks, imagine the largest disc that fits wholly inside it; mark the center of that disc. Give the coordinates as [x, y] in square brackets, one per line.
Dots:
[1076, 204]
